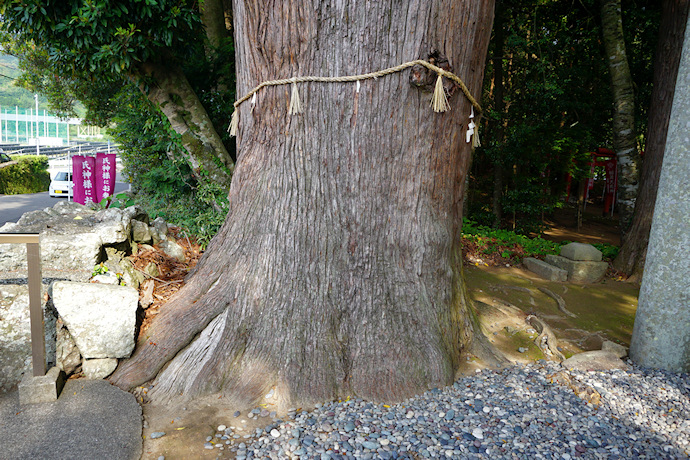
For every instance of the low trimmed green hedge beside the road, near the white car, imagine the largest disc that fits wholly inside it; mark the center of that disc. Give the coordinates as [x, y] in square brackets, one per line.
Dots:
[29, 175]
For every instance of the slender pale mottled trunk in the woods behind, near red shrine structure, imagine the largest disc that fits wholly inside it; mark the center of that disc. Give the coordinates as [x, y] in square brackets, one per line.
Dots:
[624, 111]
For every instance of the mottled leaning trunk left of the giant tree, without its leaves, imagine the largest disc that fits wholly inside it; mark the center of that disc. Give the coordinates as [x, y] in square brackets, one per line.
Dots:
[175, 97]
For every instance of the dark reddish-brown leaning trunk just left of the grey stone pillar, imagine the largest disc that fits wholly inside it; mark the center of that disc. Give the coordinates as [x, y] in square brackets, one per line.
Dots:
[632, 256]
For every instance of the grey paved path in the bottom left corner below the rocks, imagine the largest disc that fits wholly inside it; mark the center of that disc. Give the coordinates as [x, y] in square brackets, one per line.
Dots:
[90, 420]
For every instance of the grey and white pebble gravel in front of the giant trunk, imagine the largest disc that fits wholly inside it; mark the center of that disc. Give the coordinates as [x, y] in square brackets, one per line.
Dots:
[520, 412]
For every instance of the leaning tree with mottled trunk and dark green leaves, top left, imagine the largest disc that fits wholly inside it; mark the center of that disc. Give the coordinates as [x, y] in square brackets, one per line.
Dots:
[98, 45]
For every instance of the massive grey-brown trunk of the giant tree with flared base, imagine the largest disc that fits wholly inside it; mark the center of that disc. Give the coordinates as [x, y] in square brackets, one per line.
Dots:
[338, 269]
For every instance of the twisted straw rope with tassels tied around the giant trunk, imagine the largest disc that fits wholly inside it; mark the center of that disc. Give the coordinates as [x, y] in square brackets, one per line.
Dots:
[439, 101]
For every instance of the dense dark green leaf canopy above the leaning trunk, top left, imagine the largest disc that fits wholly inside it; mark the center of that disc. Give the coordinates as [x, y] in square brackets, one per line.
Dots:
[102, 36]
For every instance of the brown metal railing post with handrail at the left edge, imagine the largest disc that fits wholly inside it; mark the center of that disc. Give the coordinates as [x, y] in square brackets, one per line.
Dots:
[33, 256]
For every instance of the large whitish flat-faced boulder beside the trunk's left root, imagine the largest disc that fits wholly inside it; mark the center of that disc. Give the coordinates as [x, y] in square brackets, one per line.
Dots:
[101, 318]
